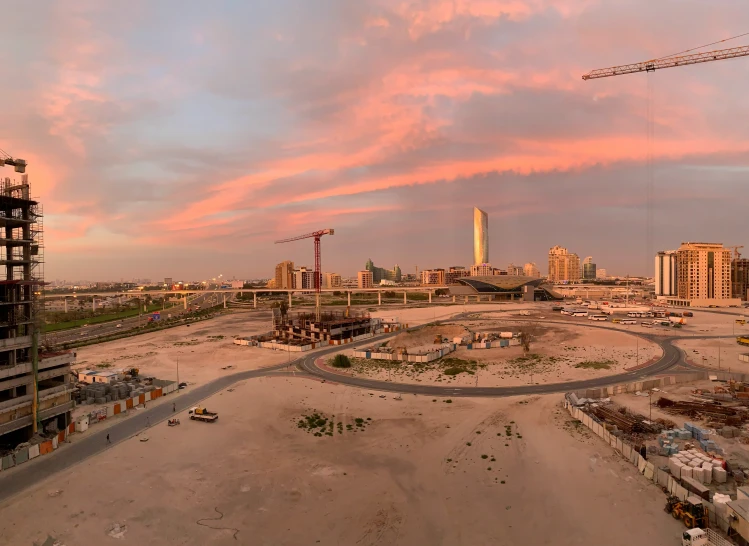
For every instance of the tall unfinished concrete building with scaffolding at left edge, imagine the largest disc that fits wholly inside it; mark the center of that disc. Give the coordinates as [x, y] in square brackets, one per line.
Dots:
[35, 395]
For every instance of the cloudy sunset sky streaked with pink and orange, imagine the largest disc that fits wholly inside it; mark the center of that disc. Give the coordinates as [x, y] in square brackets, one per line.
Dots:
[172, 138]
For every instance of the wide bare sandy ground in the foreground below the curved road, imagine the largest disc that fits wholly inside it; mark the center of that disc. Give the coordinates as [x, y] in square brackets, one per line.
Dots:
[418, 471]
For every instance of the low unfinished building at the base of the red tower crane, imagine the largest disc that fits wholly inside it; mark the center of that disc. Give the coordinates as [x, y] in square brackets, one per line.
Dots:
[302, 328]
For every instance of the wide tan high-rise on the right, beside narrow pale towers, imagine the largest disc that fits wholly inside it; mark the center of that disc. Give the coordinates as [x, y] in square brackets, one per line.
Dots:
[703, 271]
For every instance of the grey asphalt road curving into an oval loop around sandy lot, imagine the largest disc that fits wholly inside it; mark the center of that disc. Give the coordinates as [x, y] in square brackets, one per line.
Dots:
[16, 480]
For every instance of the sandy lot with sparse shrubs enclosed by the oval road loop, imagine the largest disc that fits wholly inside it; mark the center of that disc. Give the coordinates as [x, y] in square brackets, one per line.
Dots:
[559, 353]
